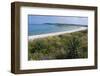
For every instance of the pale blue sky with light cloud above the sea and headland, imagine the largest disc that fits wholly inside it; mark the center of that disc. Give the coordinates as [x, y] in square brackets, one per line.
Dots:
[40, 19]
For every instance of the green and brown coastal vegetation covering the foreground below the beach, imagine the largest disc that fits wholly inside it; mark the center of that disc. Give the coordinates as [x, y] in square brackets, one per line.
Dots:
[64, 46]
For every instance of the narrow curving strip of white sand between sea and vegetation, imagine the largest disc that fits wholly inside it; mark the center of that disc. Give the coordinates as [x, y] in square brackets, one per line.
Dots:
[53, 34]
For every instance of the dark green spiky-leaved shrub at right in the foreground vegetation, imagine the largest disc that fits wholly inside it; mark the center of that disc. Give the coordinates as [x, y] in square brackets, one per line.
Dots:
[74, 46]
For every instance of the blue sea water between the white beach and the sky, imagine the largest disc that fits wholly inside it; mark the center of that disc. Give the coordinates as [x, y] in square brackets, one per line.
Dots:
[37, 29]
